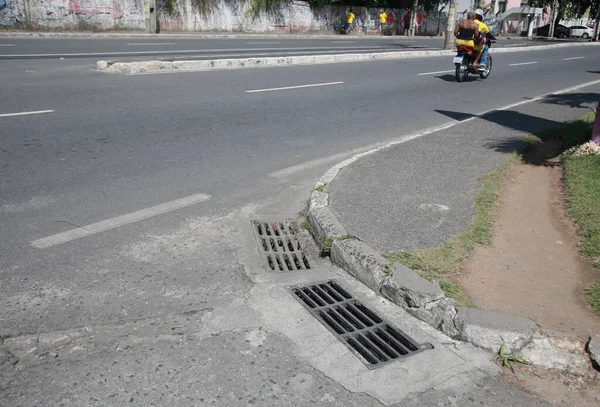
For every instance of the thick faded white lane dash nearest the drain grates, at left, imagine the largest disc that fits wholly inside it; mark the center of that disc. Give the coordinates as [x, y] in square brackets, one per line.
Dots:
[122, 220]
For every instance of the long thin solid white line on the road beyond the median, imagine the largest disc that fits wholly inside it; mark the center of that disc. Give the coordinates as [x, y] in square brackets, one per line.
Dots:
[180, 51]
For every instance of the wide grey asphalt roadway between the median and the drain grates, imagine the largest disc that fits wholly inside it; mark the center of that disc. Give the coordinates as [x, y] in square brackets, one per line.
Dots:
[125, 208]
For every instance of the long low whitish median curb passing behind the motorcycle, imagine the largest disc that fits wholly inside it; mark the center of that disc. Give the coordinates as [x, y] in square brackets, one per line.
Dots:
[140, 67]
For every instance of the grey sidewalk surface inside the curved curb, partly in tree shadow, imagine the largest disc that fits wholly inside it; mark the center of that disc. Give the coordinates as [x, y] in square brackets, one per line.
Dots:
[419, 193]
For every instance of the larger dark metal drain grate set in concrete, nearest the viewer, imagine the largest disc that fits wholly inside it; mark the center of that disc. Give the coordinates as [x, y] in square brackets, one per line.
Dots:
[368, 335]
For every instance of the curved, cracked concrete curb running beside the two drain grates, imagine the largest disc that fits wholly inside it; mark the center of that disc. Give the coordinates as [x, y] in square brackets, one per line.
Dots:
[426, 300]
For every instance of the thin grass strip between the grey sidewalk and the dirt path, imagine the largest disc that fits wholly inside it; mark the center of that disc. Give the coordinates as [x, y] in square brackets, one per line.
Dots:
[449, 257]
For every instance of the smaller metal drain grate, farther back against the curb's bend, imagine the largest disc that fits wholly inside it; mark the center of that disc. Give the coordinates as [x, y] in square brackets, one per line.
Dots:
[280, 247]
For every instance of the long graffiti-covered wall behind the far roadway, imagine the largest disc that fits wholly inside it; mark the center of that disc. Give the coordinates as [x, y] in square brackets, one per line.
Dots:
[221, 15]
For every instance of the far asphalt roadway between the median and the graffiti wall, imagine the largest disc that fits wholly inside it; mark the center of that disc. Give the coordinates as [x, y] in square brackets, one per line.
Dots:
[201, 48]
